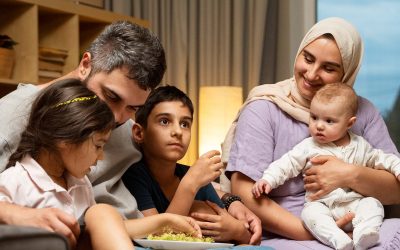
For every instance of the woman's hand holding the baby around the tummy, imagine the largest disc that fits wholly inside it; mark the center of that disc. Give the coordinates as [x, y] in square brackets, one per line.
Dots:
[327, 174]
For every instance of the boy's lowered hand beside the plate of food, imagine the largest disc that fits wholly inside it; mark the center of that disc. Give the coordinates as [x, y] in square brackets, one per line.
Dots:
[222, 226]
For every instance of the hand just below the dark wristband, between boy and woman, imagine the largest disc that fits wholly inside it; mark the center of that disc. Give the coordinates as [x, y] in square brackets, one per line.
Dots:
[238, 210]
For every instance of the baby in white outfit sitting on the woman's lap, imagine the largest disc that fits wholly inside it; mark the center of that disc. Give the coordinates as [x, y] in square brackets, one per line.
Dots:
[332, 114]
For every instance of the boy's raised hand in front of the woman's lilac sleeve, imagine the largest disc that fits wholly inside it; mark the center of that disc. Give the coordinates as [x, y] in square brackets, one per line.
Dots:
[206, 169]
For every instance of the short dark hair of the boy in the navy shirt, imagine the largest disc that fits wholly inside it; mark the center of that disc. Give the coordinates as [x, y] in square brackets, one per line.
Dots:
[158, 95]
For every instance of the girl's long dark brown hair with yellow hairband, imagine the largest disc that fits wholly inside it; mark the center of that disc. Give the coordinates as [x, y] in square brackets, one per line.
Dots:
[57, 116]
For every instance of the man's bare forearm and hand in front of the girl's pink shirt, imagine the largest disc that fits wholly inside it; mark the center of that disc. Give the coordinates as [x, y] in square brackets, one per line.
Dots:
[51, 219]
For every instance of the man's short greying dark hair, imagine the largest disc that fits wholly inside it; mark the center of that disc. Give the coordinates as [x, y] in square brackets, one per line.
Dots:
[124, 44]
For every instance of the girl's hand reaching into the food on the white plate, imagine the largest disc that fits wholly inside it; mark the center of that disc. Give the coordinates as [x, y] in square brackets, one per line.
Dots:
[183, 224]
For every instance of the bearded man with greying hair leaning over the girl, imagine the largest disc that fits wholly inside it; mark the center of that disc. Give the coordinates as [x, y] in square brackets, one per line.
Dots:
[121, 66]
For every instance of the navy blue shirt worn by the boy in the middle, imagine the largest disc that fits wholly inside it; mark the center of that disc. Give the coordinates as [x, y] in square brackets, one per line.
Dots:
[148, 194]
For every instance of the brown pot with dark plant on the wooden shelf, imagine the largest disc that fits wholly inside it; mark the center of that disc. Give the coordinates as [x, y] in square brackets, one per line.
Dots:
[7, 56]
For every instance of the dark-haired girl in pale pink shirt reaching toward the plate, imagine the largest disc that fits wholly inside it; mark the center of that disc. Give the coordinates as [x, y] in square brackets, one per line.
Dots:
[65, 136]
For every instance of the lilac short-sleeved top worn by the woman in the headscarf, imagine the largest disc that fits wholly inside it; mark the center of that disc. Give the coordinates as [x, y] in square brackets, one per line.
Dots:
[264, 133]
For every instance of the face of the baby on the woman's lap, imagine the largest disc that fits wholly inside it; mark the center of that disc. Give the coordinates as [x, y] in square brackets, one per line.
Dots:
[329, 122]
